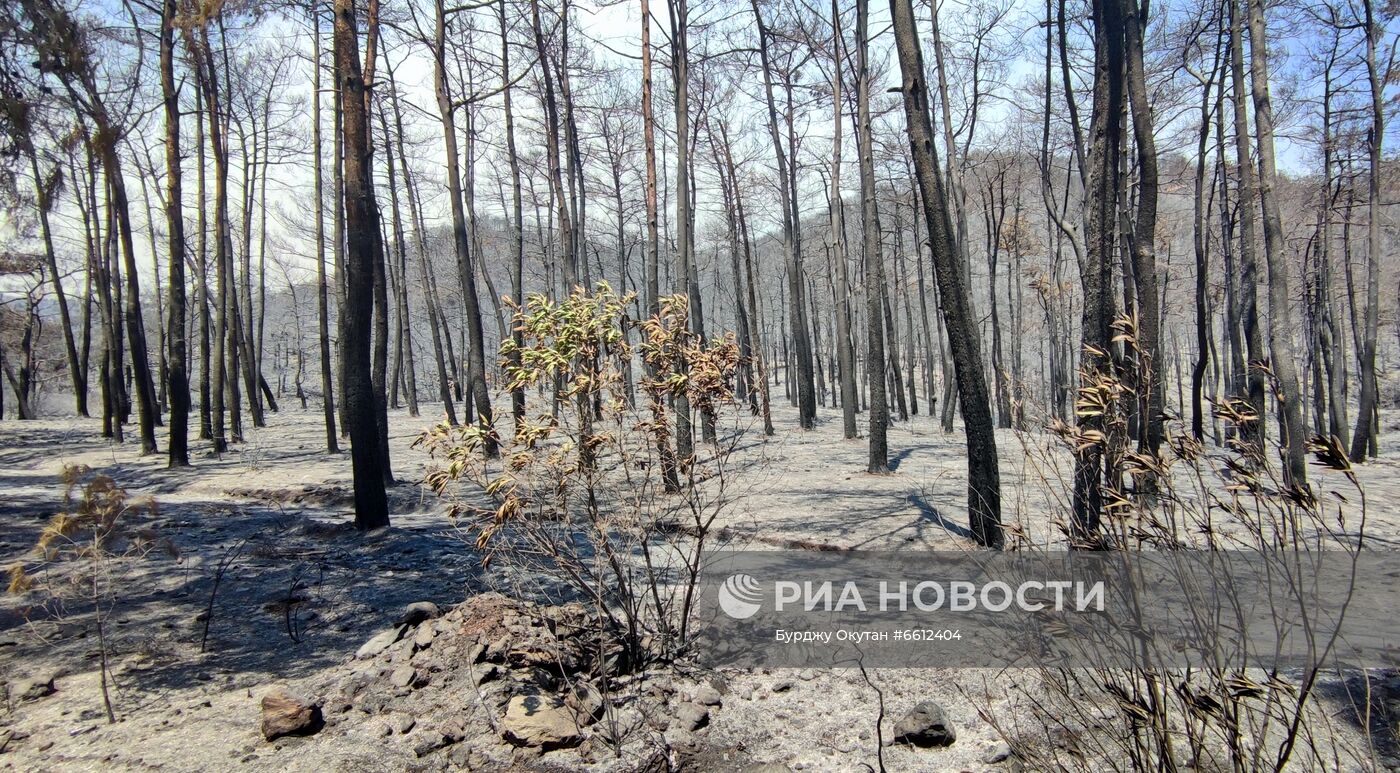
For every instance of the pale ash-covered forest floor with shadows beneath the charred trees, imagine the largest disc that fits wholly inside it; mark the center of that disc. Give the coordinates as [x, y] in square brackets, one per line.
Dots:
[300, 592]
